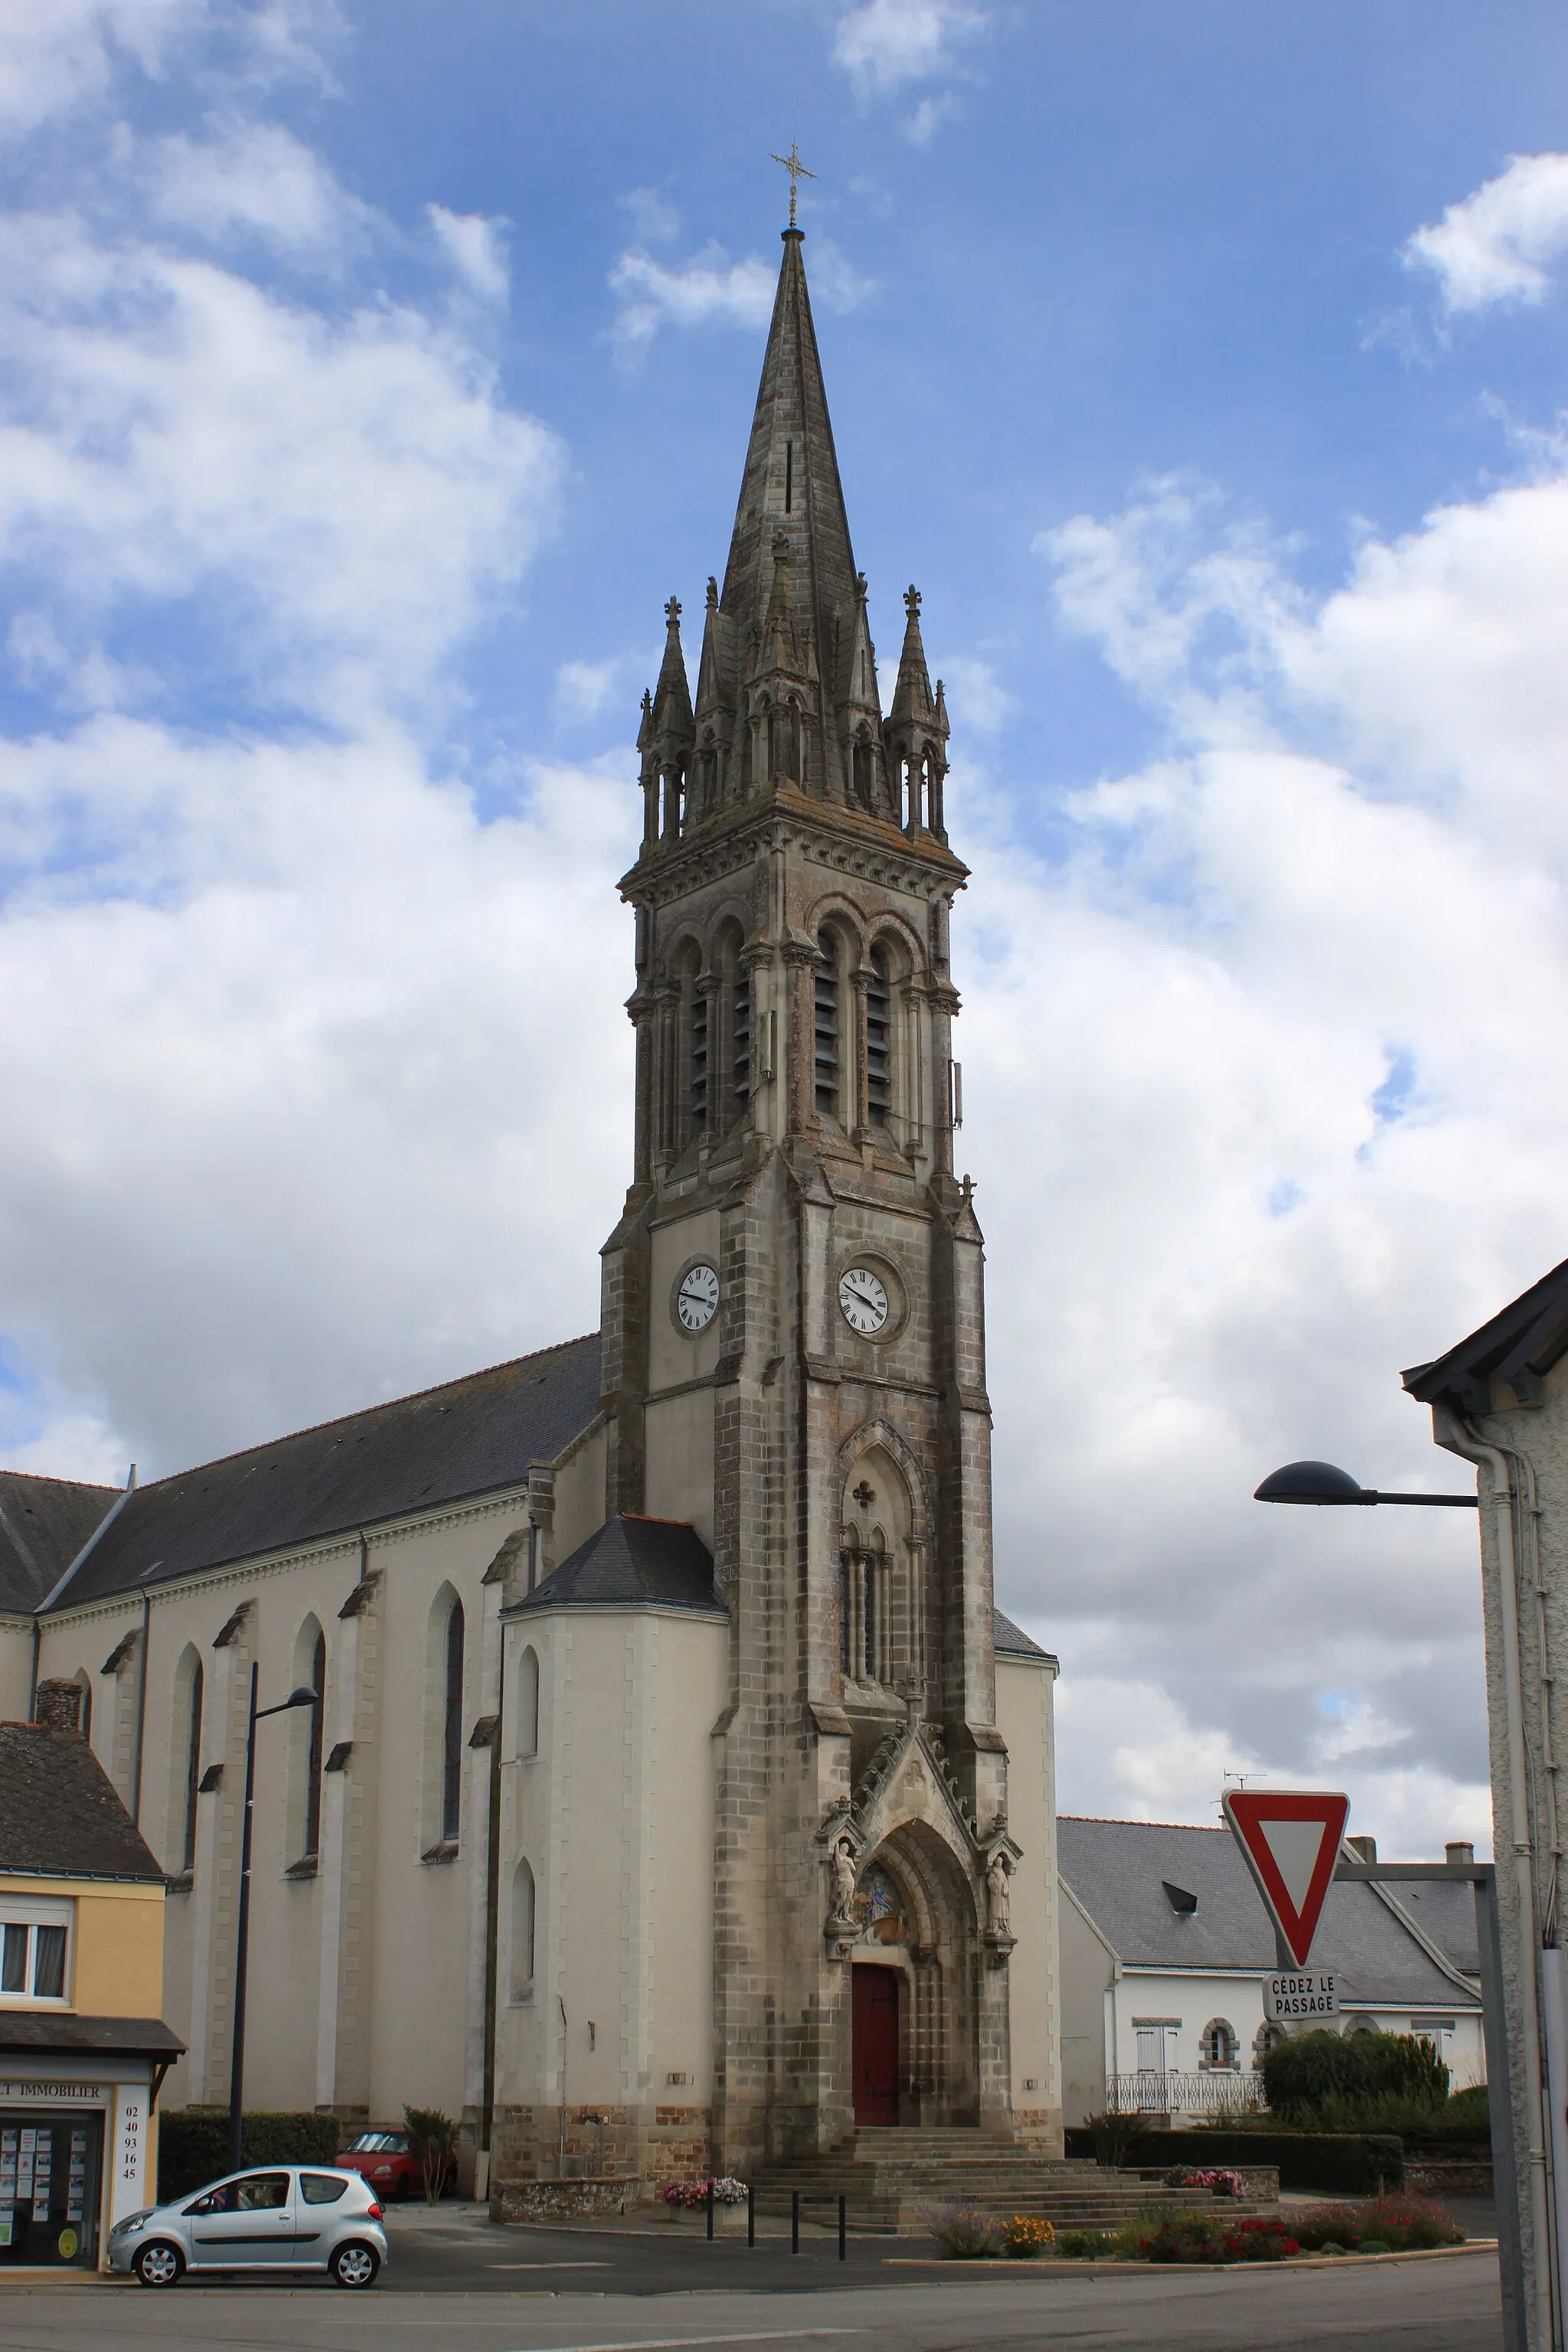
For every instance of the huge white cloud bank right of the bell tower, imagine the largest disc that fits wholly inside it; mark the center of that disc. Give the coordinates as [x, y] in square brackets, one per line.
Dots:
[1268, 1036]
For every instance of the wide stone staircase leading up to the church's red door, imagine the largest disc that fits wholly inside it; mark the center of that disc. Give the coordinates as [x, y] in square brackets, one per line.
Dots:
[892, 2177]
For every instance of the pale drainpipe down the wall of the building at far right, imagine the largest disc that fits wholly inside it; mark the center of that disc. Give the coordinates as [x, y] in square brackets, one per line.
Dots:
[1463, 1438]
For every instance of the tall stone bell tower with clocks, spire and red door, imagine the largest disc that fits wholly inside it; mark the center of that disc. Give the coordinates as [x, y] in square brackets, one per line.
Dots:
[796, 1321]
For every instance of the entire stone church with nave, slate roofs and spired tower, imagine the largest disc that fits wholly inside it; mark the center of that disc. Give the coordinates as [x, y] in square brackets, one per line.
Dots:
[676, 1798]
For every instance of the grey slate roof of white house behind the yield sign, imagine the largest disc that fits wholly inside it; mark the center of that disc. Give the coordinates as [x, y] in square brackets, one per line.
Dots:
[1115, 1871]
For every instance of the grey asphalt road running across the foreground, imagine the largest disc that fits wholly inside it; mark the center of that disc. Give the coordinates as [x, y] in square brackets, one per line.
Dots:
[462, 2287]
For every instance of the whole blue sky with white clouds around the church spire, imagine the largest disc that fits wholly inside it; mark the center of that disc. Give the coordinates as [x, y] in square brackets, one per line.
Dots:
[373, 375]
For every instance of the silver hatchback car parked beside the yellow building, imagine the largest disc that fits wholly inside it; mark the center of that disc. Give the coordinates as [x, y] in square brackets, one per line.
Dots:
[286, 2217]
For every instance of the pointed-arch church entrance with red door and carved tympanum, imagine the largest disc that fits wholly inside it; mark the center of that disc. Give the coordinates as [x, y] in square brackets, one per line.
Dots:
[913, 2017]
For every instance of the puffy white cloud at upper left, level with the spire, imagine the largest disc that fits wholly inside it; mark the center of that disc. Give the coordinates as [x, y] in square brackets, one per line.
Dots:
[344, 493]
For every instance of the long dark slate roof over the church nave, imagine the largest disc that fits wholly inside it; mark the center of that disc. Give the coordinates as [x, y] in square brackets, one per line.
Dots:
[413, 1455]
